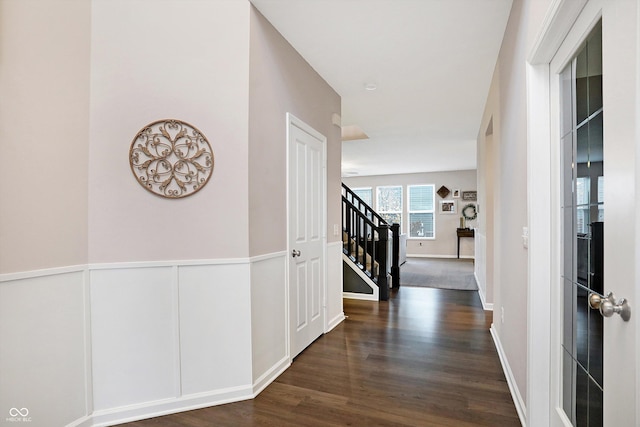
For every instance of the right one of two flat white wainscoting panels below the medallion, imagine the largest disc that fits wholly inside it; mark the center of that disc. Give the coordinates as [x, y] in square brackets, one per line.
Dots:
[215, 327]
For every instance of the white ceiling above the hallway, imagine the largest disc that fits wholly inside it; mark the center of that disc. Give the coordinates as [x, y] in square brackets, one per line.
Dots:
[431, 60]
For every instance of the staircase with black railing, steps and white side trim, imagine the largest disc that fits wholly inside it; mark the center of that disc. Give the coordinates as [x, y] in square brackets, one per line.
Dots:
[371, 249]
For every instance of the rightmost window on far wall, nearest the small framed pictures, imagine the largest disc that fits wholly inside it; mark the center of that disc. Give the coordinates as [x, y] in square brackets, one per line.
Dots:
[421, 211]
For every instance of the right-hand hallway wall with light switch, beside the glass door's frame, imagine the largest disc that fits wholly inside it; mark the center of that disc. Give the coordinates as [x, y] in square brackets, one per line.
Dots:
[503, 164]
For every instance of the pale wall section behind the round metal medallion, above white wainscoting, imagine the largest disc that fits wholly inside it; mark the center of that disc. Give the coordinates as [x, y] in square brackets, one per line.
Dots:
[199, 76]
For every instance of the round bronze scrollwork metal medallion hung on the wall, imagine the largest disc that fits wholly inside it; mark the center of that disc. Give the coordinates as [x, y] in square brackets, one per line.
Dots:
[171, 158]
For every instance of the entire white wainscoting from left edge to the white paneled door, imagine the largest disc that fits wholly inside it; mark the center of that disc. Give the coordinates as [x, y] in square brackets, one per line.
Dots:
[103, 344]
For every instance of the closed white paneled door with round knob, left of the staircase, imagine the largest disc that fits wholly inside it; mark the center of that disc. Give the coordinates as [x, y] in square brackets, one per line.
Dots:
[307, 236]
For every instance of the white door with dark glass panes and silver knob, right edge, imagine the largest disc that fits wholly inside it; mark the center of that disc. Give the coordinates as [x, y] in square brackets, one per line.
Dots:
[593, 139]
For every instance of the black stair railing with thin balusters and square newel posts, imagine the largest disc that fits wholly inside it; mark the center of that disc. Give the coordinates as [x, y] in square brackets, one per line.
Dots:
[367, 242]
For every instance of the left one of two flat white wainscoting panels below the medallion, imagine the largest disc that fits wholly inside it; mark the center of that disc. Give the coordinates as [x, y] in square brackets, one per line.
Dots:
[134, 324]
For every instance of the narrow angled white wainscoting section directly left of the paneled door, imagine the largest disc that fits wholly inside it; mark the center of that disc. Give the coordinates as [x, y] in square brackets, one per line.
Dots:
[269, 318]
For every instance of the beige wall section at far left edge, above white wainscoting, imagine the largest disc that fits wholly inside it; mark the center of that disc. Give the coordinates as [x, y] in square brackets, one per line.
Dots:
[44, 128]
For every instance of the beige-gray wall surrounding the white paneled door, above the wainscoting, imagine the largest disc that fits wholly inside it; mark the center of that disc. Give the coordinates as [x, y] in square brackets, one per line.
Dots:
[282, 81]
